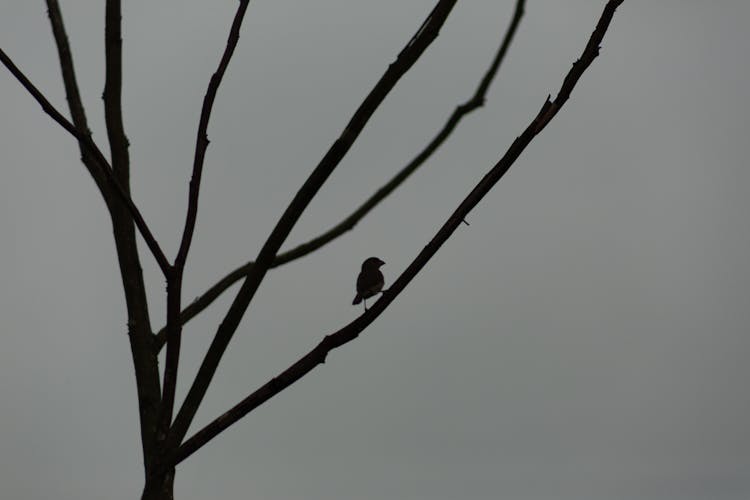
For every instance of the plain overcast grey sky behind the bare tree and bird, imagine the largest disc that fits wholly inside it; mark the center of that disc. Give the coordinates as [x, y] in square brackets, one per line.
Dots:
[585, 338]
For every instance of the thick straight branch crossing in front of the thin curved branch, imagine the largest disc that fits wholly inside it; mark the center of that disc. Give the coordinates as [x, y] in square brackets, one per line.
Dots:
[406, 59]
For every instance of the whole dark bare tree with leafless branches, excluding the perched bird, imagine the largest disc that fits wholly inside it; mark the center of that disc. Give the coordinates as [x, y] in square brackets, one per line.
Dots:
[163, 426]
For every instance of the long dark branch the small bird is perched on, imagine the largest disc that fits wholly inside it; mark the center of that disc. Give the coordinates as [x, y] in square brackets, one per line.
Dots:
[349, 332]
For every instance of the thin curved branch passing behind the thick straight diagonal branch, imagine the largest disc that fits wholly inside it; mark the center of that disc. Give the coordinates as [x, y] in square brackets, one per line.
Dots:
[476, 101]
